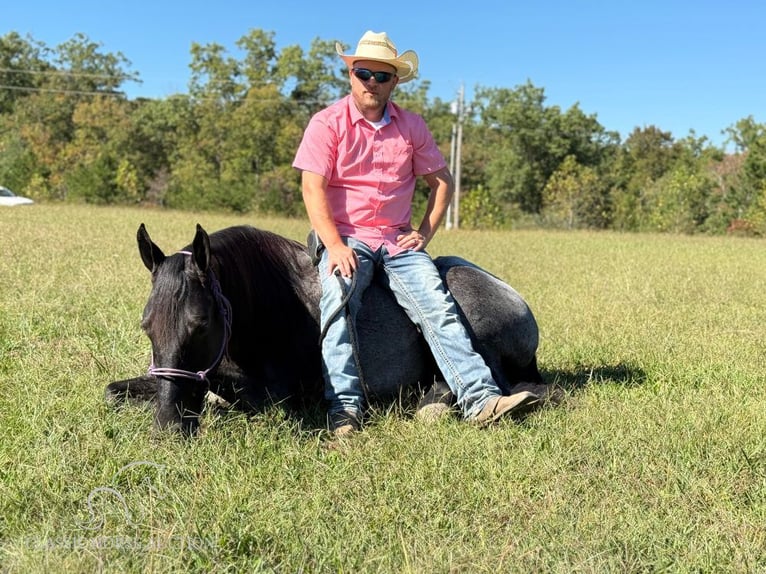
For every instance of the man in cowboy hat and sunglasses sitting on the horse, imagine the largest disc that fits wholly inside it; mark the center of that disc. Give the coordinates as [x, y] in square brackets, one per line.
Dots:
[359, 160]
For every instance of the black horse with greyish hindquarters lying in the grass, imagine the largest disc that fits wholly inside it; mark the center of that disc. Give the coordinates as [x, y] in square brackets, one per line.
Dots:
[236, 313]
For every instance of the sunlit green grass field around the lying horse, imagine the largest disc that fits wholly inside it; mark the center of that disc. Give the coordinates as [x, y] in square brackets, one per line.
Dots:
[656, 461]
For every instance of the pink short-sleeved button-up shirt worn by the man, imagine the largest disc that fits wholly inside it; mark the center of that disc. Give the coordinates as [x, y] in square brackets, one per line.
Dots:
[370, 172]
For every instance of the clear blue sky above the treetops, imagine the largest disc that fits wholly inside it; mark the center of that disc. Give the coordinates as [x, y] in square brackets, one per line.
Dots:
[677, 65]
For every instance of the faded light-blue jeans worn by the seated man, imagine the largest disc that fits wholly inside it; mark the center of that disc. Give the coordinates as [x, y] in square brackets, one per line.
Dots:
[418, 288]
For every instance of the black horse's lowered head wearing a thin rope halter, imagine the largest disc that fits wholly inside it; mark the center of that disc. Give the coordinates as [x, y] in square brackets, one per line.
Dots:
[187, 320]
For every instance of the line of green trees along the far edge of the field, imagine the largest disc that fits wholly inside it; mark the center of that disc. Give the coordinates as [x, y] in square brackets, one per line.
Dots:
[69, 133]
